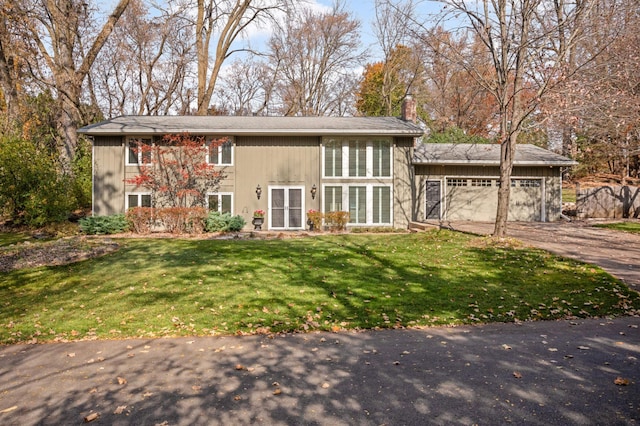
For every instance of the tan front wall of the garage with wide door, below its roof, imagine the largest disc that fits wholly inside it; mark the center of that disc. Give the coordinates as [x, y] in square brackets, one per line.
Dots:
[479, 202]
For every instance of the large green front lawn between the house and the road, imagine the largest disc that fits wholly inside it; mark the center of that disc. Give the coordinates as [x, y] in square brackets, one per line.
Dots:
[168, 287]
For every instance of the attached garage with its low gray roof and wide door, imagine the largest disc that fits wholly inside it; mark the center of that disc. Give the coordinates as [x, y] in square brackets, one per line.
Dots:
[460, 182]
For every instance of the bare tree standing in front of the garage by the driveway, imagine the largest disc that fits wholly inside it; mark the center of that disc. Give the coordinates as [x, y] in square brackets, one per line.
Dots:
[518, 36]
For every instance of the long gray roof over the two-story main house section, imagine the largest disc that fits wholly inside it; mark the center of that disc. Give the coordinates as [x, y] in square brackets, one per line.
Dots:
[254, 126]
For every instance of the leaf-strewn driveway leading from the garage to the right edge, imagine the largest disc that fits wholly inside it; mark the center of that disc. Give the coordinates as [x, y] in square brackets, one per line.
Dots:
[616, 252]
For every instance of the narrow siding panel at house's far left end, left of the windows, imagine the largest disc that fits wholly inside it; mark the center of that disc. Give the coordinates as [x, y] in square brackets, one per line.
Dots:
[108, 175]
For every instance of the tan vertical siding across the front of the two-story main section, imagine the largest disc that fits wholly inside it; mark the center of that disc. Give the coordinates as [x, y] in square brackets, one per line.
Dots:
[273, 163]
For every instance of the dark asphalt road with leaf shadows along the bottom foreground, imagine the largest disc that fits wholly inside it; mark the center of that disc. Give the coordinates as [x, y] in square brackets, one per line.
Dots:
[543, 373]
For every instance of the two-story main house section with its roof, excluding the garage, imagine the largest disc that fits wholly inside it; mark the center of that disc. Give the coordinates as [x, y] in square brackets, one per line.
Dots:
[282, 165]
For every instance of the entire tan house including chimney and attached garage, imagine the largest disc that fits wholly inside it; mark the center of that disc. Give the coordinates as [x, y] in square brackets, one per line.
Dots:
[368, 166]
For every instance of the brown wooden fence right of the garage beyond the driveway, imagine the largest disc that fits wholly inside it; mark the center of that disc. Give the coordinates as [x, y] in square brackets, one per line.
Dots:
[610, 202]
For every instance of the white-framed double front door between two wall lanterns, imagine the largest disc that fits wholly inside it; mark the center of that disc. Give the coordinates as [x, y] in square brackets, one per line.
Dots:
[286, 207]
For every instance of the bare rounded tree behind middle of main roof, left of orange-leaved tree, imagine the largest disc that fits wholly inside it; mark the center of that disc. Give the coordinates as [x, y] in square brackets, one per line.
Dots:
[311, 57]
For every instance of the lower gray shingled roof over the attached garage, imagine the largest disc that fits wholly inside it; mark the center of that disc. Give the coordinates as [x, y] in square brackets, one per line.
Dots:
[485, 155]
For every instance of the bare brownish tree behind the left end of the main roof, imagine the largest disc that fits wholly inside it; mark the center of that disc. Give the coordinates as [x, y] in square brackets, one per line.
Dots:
[146, 63]
